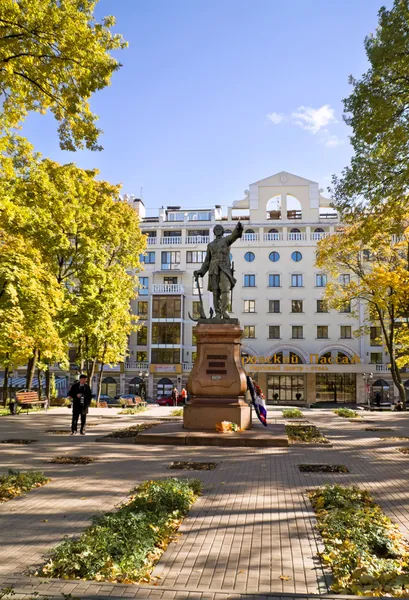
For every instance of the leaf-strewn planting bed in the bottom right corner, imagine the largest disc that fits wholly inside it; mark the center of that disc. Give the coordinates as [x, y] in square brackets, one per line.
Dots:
[366, 551]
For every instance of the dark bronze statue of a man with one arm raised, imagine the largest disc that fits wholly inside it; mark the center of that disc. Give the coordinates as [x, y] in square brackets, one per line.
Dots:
[217, 263]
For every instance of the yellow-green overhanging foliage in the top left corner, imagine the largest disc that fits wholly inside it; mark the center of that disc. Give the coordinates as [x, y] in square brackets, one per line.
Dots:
[53, 56]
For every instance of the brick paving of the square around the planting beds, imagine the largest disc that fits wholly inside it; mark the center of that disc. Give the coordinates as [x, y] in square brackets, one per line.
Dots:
[250, 535]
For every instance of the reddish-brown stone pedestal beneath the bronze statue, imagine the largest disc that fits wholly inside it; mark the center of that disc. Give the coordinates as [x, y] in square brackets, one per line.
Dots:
[217, 383]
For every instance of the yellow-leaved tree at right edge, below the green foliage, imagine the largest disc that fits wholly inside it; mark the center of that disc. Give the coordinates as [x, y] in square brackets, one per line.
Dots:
[374, 250]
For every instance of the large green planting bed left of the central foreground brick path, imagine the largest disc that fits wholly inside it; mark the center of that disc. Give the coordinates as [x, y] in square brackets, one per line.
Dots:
[123, 546]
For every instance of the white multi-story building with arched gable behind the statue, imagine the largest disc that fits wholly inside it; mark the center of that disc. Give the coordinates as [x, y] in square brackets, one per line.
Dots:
[299, 351]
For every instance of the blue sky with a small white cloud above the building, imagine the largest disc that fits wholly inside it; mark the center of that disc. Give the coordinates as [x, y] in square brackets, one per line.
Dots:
[216, 94]
